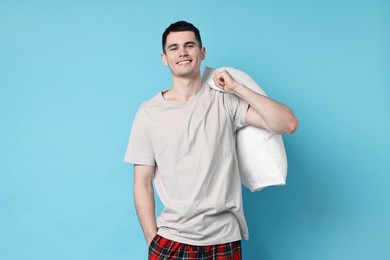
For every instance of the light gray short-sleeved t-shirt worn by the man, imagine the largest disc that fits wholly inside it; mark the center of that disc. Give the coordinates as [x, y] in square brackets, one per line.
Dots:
[192, 146]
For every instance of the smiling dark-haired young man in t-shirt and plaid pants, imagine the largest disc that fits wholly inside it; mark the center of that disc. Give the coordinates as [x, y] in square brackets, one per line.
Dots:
[183, 139]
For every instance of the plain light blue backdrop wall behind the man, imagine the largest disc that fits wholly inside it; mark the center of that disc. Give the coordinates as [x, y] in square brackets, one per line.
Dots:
[73, 73]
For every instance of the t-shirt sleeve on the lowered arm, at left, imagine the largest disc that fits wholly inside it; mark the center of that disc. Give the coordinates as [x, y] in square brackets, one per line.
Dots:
[139, 149]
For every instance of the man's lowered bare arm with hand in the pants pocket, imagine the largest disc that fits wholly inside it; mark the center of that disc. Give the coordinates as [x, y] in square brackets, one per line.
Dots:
[144, 200]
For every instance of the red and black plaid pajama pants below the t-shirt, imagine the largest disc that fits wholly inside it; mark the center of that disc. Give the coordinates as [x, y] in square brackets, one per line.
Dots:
[164, 249]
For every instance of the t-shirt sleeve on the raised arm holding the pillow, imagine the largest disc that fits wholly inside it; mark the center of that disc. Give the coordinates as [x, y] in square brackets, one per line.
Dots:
[237, 108]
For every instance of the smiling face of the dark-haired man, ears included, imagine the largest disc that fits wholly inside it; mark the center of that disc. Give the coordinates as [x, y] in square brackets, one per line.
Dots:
[183, 54]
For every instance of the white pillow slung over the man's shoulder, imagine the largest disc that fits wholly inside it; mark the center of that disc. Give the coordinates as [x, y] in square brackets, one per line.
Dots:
[261, 156]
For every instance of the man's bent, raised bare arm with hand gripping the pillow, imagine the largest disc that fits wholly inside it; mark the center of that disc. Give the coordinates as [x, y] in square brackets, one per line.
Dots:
[263, 112]
